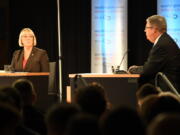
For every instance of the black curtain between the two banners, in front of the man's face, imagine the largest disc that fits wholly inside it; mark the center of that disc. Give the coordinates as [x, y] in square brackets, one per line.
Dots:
[138, 11]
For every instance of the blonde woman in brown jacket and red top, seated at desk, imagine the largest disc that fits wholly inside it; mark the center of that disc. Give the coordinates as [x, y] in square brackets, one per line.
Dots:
[30, 58]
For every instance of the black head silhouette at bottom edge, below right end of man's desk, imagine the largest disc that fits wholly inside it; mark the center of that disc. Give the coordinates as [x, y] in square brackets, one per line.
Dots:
[122, 120]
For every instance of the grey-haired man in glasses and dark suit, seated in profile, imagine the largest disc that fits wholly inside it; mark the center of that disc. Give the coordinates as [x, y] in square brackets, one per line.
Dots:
[164, 56]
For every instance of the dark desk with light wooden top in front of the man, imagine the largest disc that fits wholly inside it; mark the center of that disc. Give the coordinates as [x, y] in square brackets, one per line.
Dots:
[120, 88]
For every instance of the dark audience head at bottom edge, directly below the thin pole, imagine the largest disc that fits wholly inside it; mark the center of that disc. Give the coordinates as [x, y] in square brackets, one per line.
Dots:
[58, 116]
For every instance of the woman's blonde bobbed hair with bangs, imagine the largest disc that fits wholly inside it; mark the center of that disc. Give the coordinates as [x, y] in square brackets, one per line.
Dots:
[22, 32]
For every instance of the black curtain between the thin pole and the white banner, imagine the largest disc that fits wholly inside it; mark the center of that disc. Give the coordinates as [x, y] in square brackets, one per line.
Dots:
[76, 37]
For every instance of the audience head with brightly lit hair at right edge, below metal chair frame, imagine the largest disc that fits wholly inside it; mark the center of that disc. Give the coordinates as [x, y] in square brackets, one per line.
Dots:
[164, 102]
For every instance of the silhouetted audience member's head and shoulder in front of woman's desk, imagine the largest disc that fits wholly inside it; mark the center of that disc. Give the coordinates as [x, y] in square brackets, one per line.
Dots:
[32, 117]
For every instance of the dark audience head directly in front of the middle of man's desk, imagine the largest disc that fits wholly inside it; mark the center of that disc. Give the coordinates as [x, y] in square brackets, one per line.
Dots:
[92, 99]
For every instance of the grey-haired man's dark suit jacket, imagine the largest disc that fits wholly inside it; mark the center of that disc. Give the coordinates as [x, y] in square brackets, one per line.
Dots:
[164, 57]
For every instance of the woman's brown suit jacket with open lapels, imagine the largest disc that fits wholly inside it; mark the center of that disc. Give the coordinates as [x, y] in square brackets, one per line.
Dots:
[38, 61]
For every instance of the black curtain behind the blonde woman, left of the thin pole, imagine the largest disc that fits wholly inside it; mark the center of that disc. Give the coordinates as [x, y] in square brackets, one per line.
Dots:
[41, 17]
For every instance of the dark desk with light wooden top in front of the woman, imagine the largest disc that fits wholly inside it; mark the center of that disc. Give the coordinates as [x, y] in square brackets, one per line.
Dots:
[40, 81]
